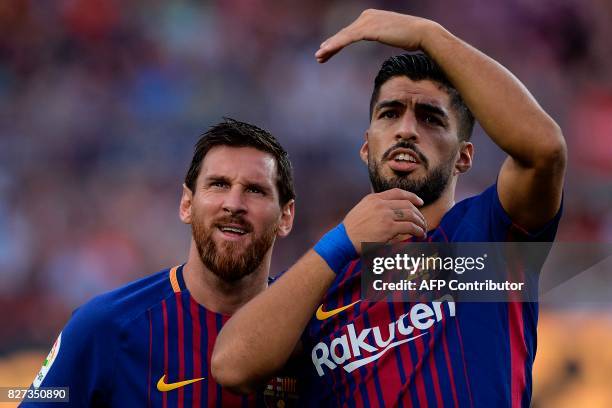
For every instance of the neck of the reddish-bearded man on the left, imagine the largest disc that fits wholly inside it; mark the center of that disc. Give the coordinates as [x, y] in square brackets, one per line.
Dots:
[218, 295]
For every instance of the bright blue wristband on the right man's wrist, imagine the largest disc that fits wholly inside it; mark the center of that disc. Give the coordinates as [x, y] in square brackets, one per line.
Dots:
[336, 248]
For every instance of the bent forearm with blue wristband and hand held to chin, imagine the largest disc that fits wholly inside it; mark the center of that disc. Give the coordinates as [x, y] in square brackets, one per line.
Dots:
[259, 339]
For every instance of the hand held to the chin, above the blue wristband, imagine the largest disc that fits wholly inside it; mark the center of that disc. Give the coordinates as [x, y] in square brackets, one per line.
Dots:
[390, 216]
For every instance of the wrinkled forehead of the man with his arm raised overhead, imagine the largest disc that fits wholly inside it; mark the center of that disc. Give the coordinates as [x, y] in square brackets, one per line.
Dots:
[409, 92]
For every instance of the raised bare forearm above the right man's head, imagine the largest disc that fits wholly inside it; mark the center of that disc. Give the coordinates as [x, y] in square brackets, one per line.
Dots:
[503, 106]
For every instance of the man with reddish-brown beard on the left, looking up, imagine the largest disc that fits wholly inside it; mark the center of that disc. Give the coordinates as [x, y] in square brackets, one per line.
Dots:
[149, 343]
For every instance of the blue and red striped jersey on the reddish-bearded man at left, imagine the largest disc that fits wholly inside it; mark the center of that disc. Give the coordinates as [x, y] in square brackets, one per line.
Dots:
[147, 344]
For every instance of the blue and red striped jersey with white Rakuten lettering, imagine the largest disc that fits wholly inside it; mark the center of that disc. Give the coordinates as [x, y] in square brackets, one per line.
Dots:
[426, 354]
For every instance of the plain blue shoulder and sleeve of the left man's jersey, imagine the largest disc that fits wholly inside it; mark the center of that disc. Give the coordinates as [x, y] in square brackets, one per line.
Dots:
[84, 353]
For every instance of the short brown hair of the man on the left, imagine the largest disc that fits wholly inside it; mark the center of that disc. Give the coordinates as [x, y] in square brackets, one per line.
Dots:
[234, 133]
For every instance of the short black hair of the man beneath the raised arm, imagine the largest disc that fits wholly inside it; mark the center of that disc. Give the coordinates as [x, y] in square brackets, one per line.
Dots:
[419, 66]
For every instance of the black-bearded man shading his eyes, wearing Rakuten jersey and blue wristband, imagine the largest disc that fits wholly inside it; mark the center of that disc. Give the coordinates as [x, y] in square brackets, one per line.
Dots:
[363, 353]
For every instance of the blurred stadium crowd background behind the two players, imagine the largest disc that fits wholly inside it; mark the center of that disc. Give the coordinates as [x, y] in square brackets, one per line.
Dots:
[101, 102]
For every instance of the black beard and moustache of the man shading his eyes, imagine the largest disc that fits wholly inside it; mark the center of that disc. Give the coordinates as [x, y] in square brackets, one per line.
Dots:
[429, 187]
